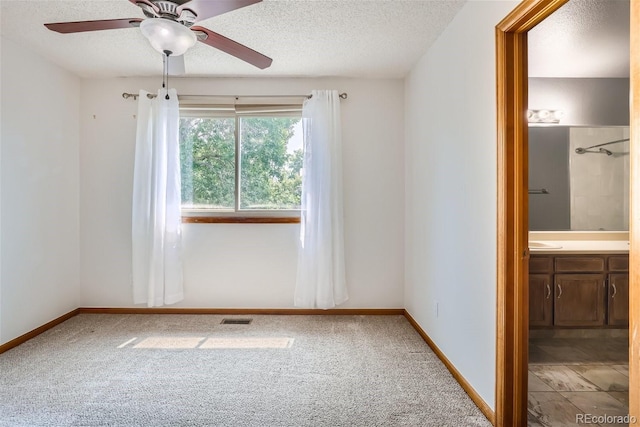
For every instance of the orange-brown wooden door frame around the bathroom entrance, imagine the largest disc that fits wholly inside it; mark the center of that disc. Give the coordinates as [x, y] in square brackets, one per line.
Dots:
[513, 252]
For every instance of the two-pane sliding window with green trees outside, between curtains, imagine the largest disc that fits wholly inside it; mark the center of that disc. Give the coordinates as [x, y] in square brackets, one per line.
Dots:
[241, 162]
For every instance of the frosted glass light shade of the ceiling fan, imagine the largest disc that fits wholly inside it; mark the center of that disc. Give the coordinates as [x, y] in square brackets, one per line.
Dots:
[168, 36]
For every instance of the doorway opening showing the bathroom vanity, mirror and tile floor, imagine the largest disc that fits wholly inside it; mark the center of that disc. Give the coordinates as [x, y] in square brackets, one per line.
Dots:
[578, 170]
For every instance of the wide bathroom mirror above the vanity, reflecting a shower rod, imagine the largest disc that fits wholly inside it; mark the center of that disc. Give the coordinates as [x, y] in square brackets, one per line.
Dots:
[578, 178]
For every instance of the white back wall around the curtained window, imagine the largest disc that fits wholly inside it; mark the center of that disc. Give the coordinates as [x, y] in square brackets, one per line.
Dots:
[246, 265]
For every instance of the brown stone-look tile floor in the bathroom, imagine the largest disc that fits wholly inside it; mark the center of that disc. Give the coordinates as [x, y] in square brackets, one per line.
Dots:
[577, 377]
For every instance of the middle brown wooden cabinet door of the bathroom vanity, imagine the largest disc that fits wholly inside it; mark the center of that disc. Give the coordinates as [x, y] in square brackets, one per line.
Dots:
[579, 300]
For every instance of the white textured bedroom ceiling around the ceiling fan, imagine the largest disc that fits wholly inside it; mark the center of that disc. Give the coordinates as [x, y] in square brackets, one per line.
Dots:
[353, 38]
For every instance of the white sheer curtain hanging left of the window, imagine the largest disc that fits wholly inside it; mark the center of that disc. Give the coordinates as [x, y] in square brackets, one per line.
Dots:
[157, 267]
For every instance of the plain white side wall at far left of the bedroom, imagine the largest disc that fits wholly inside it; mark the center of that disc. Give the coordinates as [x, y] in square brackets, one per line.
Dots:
[39, 277]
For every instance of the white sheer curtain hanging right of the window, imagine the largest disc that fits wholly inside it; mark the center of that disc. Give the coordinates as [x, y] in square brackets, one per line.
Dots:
[321, 279]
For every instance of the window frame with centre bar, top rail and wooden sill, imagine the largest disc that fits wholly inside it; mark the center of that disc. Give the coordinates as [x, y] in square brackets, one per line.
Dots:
[239, 215]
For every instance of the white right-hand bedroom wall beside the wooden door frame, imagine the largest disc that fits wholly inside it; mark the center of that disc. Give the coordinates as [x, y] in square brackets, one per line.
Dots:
[450, 157]
